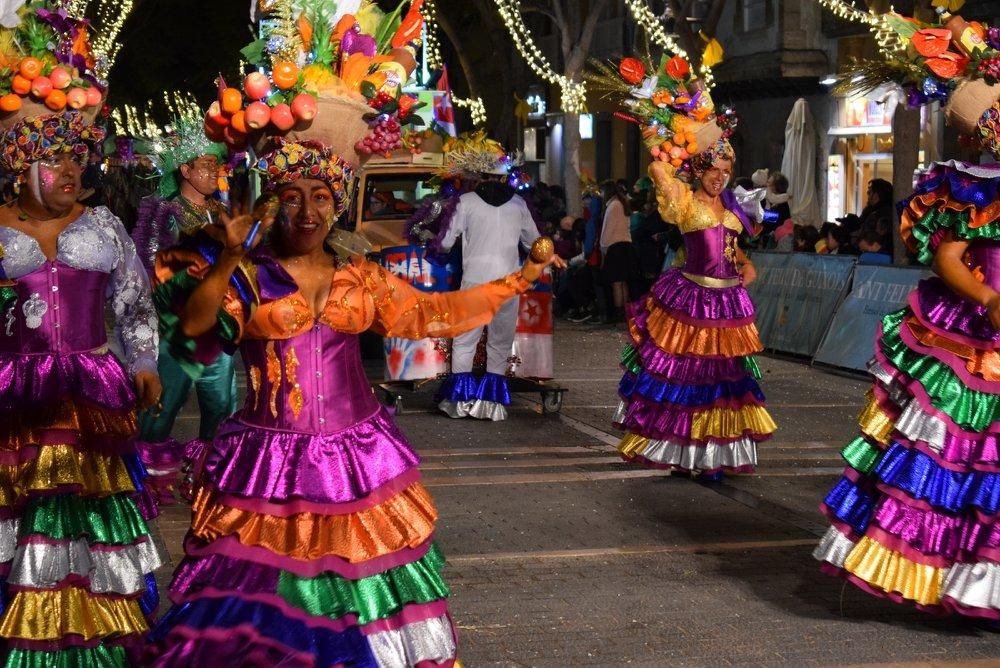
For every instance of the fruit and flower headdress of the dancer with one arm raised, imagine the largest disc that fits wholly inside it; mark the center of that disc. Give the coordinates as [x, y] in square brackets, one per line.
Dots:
[675, 112]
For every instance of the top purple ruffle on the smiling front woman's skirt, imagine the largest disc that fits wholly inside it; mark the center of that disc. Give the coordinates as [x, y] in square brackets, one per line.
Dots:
[283, 466]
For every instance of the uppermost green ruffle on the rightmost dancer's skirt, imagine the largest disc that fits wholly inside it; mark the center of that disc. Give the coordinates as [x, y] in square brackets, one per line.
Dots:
[967, 408]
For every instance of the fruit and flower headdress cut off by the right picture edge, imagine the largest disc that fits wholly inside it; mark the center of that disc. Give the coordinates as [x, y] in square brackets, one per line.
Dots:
[950, 60]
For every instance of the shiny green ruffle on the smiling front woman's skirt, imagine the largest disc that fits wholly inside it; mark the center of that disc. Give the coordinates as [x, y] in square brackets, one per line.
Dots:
[375, 597]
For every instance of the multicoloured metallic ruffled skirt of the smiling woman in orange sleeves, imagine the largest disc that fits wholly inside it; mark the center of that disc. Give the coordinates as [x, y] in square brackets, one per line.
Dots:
[309, 550]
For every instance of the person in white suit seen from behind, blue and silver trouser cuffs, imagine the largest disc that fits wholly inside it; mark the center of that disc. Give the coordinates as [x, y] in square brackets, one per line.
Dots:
[494, 223]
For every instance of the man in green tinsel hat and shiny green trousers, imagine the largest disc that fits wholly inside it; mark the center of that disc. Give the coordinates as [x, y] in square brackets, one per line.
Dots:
[180, 213]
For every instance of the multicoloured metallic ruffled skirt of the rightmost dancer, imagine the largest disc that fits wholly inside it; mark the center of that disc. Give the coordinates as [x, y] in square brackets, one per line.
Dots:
[914, 514]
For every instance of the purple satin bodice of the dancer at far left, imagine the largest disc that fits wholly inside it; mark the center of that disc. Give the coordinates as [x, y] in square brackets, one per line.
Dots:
[58, 309]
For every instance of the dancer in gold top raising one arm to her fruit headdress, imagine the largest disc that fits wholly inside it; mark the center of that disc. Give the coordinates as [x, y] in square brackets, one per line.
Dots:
[689, 398]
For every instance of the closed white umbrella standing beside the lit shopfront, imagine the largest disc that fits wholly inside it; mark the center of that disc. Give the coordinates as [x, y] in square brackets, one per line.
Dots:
[799, 163]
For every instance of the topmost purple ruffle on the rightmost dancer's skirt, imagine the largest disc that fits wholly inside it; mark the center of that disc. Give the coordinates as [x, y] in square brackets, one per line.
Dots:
[937, 306]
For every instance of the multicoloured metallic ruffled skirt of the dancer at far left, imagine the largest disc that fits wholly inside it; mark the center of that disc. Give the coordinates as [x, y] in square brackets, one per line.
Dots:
[76, 555]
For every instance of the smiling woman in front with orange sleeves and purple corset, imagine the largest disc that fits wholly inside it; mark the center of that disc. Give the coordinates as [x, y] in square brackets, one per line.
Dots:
[311, 542]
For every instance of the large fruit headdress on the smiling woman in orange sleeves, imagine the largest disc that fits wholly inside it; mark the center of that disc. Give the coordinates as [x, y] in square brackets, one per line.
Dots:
[328, 89]
